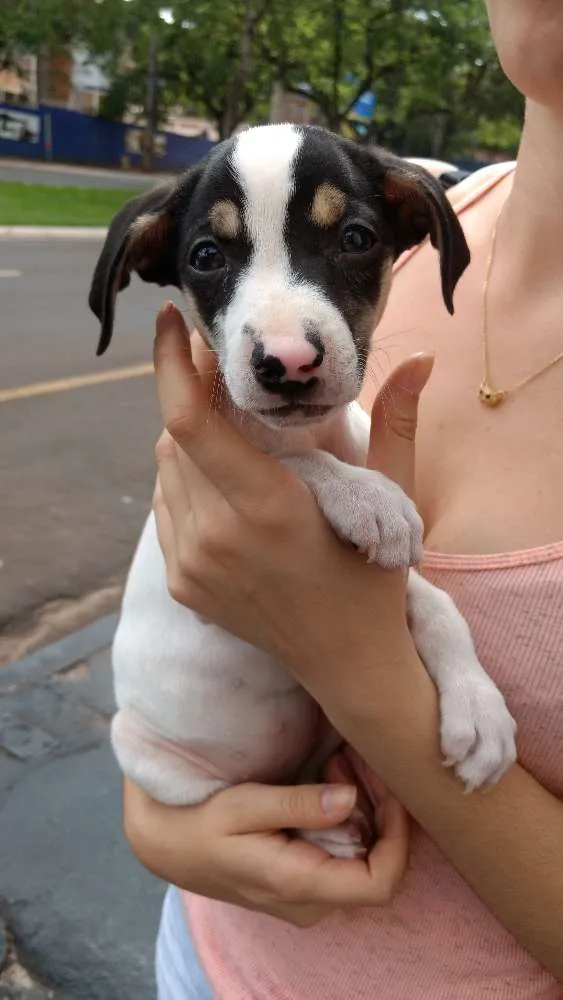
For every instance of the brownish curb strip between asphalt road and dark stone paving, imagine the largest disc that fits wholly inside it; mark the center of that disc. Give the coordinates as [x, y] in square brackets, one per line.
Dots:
[49, 660]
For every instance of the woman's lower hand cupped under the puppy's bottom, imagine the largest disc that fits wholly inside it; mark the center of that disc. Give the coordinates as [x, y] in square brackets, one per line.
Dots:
[231, 848]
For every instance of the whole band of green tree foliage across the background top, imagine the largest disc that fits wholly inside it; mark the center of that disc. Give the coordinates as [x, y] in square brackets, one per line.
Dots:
[440, 90]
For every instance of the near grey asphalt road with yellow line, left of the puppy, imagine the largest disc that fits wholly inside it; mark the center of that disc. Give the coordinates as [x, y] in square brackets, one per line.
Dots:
[76, 464]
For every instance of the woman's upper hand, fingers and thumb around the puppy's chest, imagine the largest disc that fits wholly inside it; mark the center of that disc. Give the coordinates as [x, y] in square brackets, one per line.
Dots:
[244, 542]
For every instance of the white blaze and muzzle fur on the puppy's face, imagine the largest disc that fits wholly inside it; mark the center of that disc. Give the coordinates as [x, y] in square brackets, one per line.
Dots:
[268, 297]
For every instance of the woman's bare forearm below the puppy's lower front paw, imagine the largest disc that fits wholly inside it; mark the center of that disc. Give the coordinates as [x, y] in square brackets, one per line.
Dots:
[506, 843]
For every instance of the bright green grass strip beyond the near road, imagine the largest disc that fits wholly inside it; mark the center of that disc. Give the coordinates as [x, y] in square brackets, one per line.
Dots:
[38, 205]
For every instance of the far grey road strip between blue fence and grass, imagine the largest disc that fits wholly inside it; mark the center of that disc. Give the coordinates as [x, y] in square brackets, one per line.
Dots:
[70, 176]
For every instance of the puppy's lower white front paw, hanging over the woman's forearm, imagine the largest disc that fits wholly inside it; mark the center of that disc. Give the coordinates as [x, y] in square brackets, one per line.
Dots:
[477, 730]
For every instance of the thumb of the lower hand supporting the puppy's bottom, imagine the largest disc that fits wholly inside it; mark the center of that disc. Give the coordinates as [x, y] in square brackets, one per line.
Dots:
[262, 808]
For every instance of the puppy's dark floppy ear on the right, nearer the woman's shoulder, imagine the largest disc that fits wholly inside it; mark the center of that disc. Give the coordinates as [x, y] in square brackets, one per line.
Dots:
[417, 207]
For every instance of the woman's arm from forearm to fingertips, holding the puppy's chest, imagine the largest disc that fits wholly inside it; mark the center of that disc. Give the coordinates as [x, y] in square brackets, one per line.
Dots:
[246, 546]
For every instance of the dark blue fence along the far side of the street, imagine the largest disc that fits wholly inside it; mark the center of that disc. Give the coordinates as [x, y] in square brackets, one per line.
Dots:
[50, 133]
